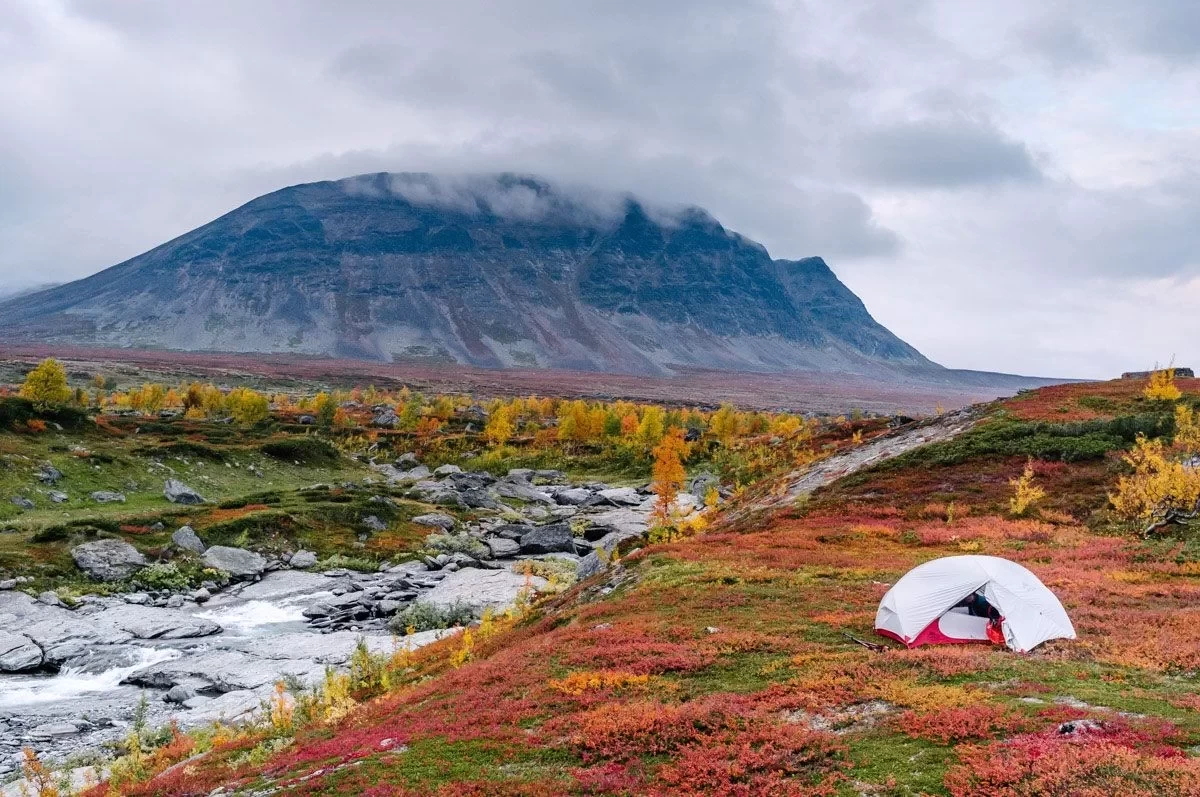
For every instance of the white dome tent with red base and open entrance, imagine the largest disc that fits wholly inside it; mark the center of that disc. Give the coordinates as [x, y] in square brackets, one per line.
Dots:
[927, 606]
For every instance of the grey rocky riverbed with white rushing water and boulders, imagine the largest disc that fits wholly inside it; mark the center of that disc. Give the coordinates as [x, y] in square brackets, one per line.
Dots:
[71, 679]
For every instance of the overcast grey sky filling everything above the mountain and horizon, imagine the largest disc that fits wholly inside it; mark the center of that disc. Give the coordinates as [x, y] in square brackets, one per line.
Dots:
[1009, 187]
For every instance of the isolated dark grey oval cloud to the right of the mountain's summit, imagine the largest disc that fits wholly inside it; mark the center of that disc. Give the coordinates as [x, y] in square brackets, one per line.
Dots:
[940, 154]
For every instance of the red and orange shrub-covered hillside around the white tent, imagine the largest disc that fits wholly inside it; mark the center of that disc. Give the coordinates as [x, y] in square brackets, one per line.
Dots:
[721, 664]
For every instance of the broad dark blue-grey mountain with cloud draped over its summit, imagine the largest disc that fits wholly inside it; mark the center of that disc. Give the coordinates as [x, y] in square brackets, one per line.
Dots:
[494, 272]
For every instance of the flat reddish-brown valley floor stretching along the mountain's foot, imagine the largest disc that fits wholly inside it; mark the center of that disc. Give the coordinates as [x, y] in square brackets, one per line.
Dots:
[905, 392]
